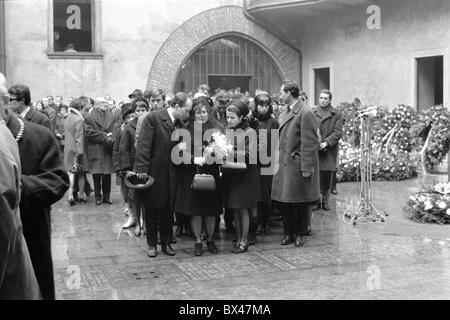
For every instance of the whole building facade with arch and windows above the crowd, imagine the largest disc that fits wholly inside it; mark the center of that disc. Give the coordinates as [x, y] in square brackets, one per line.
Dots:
[384, 52]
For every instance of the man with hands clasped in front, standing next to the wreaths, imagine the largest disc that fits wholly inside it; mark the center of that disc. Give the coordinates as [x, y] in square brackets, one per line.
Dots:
[330, 122]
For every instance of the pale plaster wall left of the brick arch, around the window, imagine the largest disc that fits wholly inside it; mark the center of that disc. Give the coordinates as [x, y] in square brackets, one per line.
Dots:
[131, 34]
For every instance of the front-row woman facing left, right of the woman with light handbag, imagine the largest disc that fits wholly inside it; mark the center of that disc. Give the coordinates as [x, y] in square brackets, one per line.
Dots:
[241, 186]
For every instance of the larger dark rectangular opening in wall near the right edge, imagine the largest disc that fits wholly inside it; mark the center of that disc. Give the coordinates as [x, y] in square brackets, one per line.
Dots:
[430, 81]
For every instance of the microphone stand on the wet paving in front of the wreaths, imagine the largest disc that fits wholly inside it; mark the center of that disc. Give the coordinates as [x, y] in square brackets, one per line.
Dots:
[366, 210]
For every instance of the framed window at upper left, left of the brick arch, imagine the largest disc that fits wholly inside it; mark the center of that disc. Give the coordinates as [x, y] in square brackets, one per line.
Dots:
[73, 31]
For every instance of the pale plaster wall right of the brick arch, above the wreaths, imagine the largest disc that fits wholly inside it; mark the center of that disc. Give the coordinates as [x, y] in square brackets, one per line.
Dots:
[376, 65]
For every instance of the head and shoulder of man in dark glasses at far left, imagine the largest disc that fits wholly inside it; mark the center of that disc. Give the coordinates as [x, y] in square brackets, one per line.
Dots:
[20, 98]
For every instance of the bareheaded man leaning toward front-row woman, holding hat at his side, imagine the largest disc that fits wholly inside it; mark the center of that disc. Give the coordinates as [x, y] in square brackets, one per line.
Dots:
[153, 157]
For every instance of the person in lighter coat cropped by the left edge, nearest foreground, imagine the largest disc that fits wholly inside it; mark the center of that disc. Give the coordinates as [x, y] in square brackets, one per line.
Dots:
[17, 278]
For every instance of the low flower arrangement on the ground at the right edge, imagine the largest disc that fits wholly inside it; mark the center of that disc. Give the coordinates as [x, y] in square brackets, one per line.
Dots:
[430, 204]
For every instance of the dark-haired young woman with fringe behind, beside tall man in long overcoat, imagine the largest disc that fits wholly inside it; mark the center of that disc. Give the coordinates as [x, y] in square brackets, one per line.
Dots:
[266, 122]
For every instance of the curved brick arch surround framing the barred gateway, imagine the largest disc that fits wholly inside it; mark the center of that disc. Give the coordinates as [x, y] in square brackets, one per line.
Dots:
[203, 28]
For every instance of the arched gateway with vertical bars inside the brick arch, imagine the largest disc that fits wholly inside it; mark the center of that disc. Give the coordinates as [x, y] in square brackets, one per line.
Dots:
[228, 62]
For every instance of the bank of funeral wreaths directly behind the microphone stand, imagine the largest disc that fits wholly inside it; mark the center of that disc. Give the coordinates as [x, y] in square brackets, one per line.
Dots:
[391, 141]
